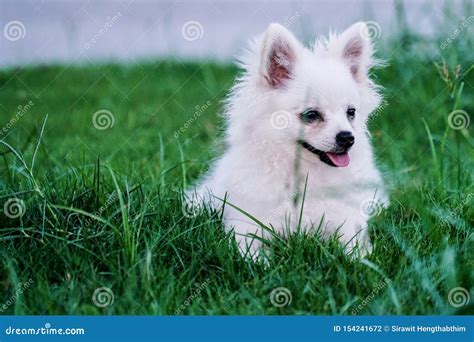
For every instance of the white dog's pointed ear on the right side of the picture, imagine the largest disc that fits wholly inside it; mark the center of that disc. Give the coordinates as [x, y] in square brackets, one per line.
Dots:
[355, 48]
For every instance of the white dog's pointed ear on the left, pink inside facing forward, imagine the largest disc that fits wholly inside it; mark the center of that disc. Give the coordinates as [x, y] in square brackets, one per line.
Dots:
[279, 52]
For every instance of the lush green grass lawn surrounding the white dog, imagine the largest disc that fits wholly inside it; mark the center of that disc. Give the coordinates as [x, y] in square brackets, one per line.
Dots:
[103, 207]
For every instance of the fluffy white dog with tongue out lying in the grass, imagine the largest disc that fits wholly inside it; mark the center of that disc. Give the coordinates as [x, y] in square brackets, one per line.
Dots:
[296, 128]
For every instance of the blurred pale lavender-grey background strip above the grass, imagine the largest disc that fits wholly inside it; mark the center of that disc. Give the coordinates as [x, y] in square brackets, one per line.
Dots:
[81, 31]
